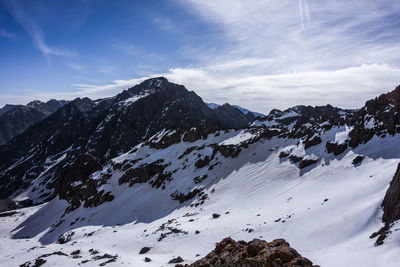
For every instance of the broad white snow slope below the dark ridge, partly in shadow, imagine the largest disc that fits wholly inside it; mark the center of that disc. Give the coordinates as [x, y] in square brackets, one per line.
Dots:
[326, 211]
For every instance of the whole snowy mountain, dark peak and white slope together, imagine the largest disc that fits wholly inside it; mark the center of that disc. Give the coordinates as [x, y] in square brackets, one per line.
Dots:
[154, 176]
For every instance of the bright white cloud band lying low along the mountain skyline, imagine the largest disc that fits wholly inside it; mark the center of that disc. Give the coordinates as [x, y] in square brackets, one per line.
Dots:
[346, 88]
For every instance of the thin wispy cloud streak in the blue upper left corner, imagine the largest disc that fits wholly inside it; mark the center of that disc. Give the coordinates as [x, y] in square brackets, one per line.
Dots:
[34, 31]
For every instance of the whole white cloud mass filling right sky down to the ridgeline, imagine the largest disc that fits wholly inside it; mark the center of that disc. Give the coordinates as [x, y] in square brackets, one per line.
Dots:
[265, 54]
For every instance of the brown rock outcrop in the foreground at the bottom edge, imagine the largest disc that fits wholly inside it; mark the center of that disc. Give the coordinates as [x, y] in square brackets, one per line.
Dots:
[255, 253]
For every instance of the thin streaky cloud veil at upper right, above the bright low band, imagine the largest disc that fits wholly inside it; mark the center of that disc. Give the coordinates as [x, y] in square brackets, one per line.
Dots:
[306, 36]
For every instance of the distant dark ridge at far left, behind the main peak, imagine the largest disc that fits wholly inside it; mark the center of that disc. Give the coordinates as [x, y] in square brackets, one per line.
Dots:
[15, 119]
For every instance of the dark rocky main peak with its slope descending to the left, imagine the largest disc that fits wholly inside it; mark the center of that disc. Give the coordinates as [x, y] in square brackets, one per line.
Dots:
[103, 129]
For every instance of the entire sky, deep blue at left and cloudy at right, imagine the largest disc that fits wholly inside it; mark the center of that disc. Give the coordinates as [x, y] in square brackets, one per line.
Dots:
[260, 54]
